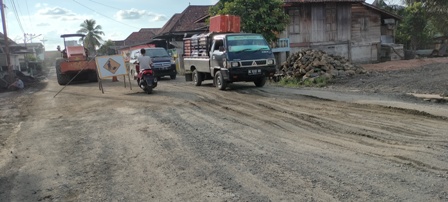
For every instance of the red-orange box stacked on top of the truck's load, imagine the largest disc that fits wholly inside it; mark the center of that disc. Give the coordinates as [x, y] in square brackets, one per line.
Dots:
[225, 23]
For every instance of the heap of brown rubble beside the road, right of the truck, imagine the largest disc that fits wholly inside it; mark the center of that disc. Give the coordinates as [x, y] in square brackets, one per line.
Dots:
[311, 64]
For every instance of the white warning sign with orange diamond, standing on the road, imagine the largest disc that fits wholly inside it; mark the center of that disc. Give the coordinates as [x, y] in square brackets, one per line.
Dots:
[110, 65]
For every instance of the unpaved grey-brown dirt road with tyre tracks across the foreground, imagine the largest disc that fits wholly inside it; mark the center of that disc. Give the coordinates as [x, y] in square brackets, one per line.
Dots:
[187, 143]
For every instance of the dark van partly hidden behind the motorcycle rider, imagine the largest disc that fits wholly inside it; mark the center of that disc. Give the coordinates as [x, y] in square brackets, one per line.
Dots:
[163, 63]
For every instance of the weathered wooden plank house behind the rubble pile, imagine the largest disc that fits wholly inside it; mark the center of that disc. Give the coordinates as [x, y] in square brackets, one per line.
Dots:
[349, 28]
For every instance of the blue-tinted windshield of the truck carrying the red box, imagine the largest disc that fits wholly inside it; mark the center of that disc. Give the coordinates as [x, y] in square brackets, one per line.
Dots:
[245, 43]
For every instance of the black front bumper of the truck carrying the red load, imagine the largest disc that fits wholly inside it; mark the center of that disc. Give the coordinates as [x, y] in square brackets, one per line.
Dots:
[248, 73]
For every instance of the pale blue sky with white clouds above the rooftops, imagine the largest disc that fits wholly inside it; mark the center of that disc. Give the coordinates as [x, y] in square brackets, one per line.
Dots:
[45, 20]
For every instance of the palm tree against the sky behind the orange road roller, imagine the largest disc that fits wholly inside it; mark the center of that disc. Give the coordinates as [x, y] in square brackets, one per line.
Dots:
[92, 32]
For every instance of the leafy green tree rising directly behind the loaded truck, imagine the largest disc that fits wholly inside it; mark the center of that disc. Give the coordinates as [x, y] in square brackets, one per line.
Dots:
[265, 17]
